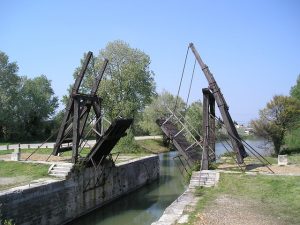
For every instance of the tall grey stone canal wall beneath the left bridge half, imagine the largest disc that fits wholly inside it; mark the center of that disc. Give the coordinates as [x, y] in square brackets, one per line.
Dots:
[58, 202]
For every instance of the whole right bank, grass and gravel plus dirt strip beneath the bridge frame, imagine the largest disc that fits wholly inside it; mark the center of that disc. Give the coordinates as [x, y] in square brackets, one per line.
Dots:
[255, 197]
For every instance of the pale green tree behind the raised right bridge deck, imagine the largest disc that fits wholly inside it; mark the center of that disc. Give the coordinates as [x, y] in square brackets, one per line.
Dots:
[159, 109]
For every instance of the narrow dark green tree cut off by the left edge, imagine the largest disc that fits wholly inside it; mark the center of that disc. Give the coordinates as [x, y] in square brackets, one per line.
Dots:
[9, 87]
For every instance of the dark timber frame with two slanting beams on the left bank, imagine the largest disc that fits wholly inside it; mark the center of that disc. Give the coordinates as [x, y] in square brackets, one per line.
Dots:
[77, 112]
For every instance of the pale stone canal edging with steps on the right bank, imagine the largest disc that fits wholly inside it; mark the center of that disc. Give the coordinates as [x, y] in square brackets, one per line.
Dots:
[176, 212]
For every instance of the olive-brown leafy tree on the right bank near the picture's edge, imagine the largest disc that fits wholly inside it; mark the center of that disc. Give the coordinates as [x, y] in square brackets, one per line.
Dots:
[275, 120]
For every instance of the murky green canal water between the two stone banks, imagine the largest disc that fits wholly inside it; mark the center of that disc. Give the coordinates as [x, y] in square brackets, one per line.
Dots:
[144, 206]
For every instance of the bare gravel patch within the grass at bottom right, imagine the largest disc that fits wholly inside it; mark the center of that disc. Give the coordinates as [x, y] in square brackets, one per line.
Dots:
[226, 210]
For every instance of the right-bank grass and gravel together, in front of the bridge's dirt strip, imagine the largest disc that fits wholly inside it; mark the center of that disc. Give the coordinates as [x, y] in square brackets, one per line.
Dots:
[248, 199]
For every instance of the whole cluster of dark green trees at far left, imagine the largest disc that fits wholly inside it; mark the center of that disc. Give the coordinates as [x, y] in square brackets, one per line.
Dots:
[26, 104]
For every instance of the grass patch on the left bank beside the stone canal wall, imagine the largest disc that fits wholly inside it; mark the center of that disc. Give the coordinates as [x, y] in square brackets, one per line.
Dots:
[22, 172]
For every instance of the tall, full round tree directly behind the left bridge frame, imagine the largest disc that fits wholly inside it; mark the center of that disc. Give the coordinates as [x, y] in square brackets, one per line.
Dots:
[128, 83]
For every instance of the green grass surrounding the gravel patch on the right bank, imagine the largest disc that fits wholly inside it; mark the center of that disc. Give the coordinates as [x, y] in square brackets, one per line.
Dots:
[278, 195]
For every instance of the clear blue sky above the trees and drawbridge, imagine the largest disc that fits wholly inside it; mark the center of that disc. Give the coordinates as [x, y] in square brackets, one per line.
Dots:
[252, 47]
